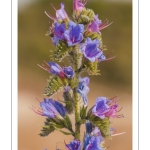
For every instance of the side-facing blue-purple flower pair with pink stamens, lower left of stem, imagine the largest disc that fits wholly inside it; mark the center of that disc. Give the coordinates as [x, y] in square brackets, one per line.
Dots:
[51, 109]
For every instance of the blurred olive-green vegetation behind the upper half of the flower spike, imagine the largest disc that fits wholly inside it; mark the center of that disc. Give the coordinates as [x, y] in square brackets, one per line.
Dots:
[34, 46]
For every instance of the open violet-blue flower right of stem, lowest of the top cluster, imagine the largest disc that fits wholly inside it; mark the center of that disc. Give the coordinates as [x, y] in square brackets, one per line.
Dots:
[90, 49]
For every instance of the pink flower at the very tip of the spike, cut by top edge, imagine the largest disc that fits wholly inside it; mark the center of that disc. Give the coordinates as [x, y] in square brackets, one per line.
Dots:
[78, 5]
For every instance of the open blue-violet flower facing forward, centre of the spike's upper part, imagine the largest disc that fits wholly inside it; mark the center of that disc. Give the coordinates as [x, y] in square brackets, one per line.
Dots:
[74, 34]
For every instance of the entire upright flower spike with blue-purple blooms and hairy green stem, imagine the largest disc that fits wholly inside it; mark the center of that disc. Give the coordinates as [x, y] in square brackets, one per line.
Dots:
[79, 40]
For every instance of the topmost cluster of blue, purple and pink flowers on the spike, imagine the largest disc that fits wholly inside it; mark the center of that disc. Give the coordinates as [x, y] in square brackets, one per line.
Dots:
[73, 33]
